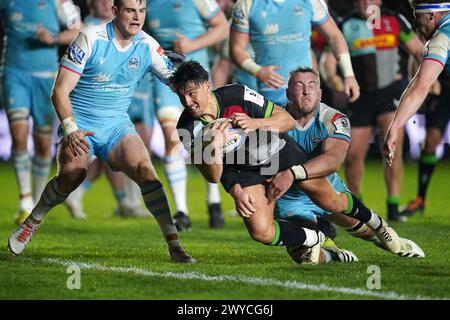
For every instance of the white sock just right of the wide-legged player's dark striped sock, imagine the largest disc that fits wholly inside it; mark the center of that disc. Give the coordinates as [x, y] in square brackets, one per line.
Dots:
[176, 173]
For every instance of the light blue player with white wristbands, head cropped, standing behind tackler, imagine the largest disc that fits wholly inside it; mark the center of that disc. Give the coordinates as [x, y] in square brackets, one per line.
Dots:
[280, 32]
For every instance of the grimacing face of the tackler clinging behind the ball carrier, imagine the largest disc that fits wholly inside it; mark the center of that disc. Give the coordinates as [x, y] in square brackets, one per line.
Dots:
[304, 91]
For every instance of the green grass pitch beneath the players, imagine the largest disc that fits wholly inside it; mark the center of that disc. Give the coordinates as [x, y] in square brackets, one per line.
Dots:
[127, 258]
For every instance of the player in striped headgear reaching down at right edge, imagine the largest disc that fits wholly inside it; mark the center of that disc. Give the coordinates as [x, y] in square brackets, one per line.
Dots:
[433, 19]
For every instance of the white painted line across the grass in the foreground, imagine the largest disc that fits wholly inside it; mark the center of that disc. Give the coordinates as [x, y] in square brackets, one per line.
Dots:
[267, 282]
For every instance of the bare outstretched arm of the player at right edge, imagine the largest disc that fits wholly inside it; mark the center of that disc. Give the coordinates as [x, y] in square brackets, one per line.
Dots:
[410, 102]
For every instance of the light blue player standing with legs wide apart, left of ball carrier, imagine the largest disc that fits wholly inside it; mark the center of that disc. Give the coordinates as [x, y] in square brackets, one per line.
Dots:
[92, 93]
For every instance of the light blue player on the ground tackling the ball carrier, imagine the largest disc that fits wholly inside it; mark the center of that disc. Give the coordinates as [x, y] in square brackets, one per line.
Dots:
[324, 134]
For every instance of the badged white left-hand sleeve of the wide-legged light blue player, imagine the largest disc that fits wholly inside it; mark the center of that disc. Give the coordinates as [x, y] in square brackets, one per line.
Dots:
[78, 53]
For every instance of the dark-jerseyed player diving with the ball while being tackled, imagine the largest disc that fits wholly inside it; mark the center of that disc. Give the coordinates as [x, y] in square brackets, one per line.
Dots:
[245, 180]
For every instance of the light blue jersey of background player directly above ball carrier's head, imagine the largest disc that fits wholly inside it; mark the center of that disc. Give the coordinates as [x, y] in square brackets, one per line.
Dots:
[190, 18]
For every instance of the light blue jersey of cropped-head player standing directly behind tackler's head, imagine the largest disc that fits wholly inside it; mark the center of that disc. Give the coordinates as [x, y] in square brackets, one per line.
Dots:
[279, 30]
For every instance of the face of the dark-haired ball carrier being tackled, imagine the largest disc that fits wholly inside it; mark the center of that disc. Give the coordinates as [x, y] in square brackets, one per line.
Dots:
[195, 97]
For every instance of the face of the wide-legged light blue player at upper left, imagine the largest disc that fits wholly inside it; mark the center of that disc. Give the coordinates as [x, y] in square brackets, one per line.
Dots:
[130, 17]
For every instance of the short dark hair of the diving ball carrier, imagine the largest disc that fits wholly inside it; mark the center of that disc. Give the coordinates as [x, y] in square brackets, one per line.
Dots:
[189, 71]
